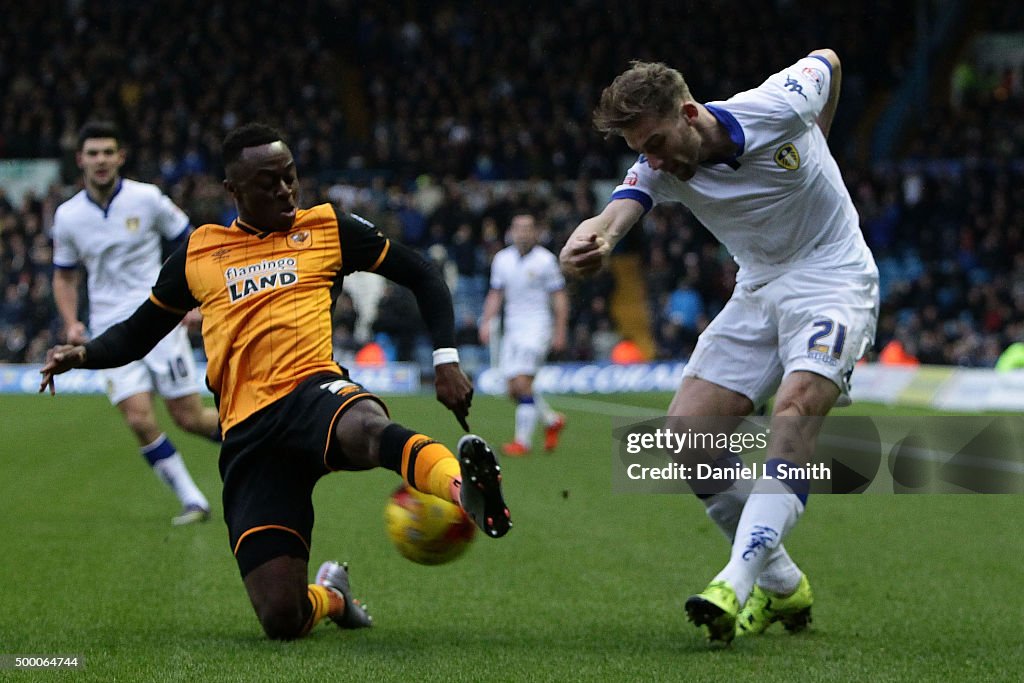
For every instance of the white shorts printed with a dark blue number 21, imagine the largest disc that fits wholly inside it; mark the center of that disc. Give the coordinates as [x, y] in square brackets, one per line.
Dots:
[817, 321]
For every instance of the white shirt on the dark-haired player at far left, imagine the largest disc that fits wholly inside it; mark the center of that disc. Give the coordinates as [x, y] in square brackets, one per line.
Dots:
[120, 247]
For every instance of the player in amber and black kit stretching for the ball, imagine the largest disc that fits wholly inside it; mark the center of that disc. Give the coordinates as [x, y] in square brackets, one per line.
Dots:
[266, 286]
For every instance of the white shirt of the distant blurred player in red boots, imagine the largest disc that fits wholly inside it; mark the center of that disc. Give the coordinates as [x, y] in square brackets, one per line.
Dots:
[528, 283]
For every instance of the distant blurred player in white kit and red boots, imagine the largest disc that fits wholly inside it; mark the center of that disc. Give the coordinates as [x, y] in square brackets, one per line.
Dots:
[527, 279]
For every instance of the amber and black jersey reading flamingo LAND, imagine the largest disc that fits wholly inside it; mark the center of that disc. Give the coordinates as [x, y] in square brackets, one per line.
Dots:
[267, 301]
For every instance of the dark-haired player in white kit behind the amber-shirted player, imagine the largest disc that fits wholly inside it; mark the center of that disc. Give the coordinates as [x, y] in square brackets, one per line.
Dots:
[114, 228]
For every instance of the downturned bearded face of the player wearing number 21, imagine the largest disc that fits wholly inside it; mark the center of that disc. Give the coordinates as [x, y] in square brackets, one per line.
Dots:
[671, 144]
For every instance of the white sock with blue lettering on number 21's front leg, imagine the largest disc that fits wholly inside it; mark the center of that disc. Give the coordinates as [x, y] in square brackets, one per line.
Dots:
[772, 510]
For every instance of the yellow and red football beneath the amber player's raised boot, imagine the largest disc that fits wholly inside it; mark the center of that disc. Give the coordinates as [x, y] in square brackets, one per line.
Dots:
[425, 529]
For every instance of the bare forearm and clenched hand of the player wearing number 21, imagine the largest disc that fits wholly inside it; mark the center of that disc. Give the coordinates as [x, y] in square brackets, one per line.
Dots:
[586, 250]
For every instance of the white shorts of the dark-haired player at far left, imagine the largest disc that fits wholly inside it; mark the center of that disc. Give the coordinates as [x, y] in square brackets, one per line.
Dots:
[169, 368]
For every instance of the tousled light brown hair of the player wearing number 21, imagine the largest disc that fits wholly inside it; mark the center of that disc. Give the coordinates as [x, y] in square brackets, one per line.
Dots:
[647, 89]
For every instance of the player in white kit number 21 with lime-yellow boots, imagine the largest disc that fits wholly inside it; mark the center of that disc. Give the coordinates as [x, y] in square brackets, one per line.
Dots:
[756, 170]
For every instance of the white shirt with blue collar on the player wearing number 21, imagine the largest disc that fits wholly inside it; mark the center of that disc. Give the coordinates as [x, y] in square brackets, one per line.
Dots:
[781, 202]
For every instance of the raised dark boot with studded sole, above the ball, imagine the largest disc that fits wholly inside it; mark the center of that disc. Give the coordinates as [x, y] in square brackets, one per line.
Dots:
[482, 487]
